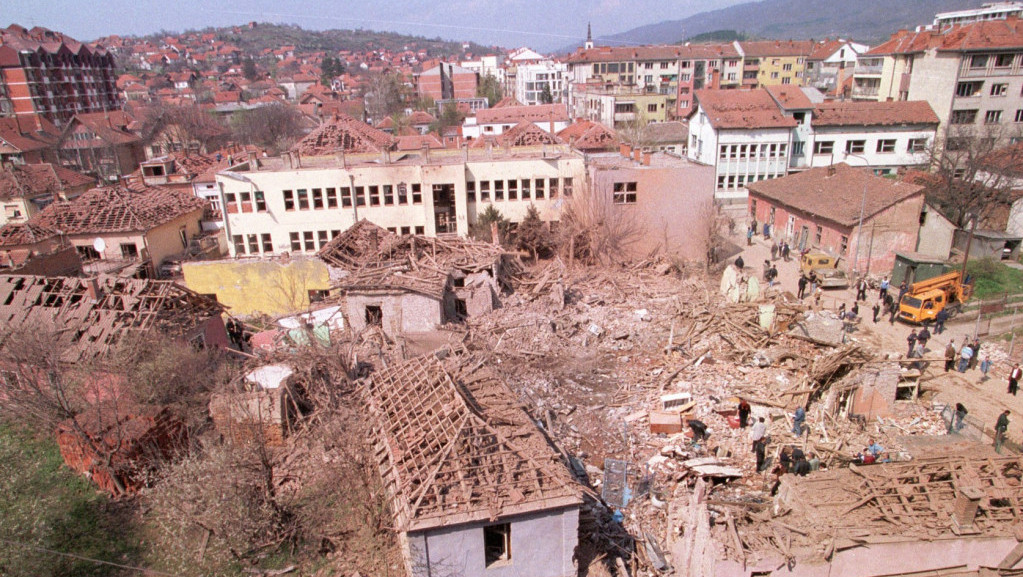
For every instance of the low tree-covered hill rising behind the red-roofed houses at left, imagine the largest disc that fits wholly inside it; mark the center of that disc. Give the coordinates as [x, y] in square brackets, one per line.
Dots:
[262, 36]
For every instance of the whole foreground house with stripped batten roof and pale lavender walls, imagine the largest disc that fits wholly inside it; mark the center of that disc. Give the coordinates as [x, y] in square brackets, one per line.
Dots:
[477, 490]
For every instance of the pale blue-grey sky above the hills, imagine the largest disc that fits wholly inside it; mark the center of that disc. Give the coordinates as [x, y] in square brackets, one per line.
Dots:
[542, 24]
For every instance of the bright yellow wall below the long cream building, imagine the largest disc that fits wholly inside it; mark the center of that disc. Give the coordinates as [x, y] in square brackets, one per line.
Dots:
[252, 287]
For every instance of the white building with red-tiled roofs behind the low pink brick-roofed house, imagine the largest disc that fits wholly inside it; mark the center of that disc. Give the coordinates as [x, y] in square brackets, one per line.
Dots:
[763, 135]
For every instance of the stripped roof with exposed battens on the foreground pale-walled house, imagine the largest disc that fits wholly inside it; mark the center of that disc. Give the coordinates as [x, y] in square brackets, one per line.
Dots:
[458, 449]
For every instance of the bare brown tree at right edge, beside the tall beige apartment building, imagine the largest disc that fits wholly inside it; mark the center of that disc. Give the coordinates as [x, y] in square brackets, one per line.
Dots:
[974, 170]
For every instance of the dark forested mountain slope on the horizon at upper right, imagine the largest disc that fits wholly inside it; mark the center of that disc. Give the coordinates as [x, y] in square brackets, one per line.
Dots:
[871, 22]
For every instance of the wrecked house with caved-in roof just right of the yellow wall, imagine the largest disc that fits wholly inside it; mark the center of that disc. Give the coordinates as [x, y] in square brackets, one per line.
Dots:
[414, 284]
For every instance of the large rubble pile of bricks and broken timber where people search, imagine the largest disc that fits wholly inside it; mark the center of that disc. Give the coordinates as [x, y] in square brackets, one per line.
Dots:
[615, 366]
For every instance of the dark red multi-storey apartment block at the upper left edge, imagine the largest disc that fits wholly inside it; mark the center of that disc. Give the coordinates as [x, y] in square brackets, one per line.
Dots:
[49, 74]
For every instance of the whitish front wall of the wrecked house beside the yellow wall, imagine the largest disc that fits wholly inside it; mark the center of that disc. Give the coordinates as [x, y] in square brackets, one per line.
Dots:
[404, 313]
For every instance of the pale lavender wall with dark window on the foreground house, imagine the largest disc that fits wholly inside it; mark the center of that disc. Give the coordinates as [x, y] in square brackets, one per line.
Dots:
[543, 546]
